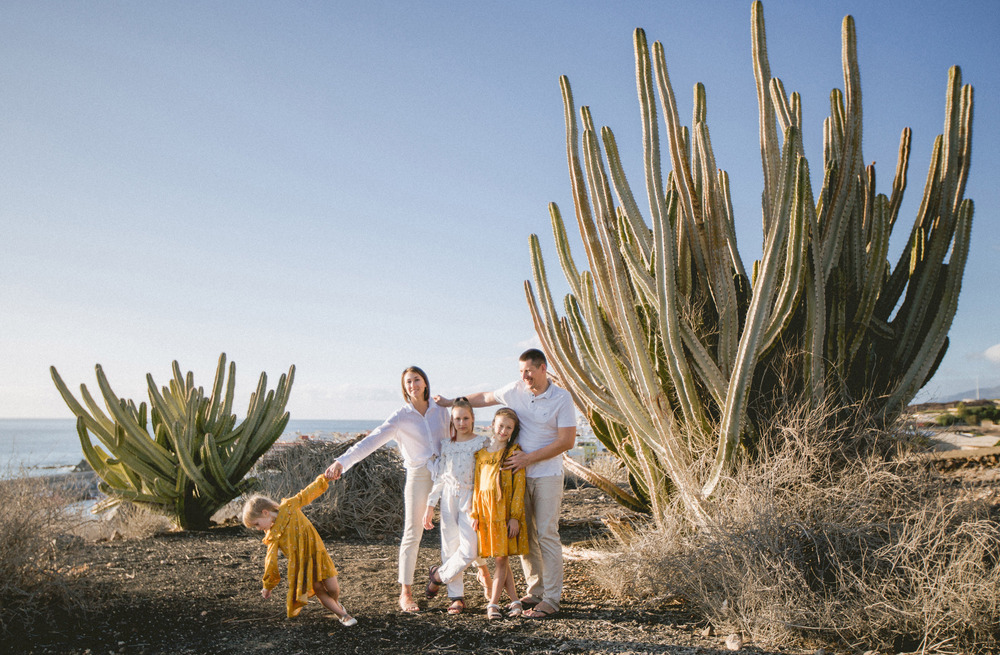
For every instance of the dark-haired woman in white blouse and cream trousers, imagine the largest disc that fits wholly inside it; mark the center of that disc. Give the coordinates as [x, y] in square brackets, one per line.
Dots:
[418, 427]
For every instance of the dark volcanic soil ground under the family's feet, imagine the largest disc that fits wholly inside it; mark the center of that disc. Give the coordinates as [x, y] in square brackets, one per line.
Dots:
[199, 592]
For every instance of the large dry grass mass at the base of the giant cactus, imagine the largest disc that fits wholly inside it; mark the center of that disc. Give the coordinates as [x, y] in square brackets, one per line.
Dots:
[810, 541]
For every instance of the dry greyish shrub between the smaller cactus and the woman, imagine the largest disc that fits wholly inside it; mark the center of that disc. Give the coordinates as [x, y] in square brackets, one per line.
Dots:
[367, 501]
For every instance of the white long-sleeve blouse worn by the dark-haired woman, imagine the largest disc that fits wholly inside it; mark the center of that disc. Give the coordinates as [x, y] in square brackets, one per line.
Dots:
[418, 437]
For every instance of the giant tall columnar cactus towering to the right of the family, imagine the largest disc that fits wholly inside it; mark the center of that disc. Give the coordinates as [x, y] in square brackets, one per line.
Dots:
[675, 351]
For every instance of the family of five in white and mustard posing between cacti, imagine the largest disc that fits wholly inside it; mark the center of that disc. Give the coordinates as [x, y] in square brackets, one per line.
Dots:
[499, 495]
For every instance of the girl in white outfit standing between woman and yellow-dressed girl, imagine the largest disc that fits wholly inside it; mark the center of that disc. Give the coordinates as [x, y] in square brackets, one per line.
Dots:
[453, 486]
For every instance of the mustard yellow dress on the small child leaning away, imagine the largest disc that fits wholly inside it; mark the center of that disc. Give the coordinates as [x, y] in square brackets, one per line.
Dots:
[294, 535]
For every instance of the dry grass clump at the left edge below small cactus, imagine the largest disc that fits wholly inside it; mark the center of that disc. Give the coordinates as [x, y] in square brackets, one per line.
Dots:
[33, 587]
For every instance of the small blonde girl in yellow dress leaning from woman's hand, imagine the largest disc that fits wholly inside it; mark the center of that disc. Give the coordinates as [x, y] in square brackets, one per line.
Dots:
[310, 569]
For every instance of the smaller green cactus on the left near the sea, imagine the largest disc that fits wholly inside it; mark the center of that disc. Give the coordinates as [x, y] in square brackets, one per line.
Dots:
[196, 457]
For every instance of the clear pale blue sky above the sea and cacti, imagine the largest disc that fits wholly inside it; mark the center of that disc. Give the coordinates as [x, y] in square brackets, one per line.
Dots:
[349, 186]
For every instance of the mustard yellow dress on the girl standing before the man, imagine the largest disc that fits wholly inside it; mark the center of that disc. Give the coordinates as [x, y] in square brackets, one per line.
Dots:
[498, 496]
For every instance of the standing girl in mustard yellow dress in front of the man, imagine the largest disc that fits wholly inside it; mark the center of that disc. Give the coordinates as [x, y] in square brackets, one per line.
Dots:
[498, 509]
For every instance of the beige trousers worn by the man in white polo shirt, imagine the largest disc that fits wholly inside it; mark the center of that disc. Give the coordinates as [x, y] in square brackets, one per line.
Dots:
[543, 564]
